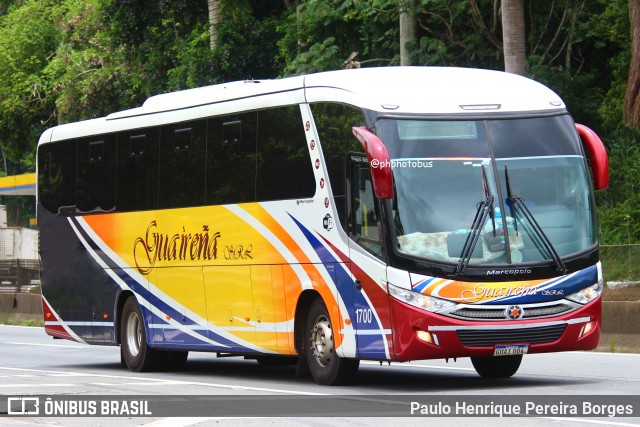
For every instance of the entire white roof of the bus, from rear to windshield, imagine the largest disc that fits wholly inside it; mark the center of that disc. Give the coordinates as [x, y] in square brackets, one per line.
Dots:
[396, 90]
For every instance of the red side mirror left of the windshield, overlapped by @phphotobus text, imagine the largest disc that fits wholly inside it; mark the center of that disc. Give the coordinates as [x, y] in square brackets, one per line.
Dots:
[379, 162]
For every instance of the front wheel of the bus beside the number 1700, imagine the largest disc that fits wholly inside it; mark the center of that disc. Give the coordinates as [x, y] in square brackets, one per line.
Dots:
[326, 367]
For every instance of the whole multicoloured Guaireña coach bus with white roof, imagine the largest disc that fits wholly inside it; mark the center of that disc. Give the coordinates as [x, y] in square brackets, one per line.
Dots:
[381, 214]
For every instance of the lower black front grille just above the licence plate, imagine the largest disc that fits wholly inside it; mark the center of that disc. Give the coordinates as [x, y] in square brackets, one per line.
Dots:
[491, 337]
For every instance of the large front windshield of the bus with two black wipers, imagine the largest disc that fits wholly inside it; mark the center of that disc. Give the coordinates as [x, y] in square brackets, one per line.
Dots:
[498, 191]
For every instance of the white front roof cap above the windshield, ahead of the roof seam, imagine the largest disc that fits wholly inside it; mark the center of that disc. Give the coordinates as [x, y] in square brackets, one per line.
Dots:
[433, 90]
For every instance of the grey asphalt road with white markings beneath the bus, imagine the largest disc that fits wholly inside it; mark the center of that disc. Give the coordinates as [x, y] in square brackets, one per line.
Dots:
[31, 363]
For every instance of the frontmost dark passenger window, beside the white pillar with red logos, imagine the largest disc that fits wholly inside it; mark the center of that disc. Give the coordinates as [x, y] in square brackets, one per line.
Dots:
[284, 169]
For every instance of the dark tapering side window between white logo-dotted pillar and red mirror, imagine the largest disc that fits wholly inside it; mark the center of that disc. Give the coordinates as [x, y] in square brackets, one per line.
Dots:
[334, 123]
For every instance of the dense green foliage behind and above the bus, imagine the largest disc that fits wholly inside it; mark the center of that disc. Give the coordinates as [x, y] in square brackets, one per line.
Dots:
[67, 60]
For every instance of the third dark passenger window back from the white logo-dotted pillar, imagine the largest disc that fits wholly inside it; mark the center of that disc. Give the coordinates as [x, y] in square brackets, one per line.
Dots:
[182, 164]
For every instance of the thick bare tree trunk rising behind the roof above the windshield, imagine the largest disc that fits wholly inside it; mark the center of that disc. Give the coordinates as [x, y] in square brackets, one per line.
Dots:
[513, 36]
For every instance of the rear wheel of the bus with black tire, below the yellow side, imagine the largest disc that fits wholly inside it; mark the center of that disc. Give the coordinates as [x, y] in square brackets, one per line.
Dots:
[137, 354]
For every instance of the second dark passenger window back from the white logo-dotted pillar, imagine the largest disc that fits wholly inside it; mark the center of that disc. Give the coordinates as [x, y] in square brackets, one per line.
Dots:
[231, 159]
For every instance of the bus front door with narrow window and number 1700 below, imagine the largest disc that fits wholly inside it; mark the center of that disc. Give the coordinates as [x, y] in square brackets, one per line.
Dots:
[366, 250]
